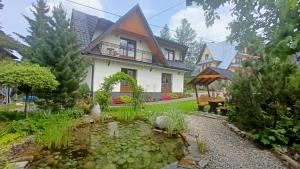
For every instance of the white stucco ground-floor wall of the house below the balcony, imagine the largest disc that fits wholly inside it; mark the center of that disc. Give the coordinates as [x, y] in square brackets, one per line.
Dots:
[149, 80]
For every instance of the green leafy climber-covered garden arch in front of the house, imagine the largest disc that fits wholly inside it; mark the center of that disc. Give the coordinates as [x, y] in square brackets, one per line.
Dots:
[103, 96]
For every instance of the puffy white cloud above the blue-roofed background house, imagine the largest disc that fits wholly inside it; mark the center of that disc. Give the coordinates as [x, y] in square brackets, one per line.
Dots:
[195, 15]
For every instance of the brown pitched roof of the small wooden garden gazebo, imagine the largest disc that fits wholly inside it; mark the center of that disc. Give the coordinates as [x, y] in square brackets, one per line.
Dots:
[211, 74]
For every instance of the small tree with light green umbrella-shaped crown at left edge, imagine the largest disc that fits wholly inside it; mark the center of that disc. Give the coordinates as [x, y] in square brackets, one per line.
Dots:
[27, 77]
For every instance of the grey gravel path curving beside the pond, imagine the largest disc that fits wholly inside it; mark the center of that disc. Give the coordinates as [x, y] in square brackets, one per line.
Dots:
[226, 150]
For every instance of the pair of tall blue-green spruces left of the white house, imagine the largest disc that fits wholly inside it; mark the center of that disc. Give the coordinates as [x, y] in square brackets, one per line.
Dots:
[53, 43]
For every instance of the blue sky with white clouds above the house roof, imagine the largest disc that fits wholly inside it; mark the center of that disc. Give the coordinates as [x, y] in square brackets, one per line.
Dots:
[12, 20]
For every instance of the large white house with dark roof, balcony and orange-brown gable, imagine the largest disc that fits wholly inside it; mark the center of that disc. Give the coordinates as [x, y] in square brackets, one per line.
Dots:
[128, 45]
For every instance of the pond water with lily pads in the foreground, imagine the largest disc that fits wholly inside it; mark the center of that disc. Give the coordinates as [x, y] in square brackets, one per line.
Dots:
[114, 146]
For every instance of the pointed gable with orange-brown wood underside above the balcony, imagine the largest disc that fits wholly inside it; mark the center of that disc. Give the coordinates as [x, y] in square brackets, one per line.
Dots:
[133, 22]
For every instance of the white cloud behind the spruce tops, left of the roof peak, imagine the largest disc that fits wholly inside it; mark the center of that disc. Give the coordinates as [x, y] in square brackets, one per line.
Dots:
[69, 6]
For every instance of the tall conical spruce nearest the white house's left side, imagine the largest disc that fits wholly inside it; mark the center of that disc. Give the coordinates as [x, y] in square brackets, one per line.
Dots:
[65, 58]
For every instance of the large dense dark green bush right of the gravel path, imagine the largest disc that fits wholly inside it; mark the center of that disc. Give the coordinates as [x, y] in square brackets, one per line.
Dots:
[267, 101]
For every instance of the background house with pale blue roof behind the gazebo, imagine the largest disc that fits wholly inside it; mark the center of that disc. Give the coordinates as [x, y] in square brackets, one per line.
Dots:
[220, 55]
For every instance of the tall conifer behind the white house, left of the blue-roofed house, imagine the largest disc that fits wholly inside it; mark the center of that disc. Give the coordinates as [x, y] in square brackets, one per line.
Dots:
[186, 35]
